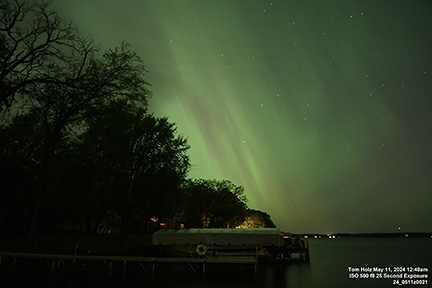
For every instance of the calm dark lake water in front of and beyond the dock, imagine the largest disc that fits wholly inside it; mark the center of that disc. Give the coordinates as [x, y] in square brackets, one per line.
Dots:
[330, 259]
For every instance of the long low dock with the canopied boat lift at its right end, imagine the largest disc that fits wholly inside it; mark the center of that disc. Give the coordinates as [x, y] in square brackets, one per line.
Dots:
[231, 246]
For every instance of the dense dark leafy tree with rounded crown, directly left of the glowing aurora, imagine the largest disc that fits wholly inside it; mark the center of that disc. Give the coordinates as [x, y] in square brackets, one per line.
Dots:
[144, 156]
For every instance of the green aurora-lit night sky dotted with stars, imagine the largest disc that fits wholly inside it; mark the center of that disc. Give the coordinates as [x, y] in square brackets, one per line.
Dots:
[321, 110]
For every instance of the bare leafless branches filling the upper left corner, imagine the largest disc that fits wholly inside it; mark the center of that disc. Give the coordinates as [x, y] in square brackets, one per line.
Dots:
[34, 40]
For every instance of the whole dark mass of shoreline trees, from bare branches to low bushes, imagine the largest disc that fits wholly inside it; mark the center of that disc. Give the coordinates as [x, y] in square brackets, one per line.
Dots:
[77, 143]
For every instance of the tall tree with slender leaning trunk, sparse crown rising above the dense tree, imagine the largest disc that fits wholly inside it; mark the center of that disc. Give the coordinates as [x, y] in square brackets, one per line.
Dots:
[118, 75]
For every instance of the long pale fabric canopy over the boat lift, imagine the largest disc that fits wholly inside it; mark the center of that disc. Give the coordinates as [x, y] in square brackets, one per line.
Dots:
[219, 236]
